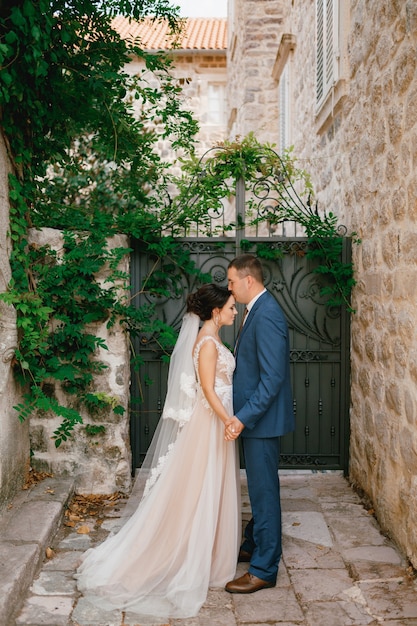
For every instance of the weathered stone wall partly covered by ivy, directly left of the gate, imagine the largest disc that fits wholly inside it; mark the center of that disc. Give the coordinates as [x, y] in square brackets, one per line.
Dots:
[100, 463]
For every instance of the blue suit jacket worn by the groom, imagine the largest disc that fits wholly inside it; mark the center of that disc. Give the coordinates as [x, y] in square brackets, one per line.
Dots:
[262, 394]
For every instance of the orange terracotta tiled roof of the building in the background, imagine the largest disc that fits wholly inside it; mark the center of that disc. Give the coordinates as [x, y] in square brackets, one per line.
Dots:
[199, 33]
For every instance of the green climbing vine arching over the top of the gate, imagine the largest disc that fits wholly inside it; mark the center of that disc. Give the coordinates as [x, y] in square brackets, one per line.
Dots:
[279, 191]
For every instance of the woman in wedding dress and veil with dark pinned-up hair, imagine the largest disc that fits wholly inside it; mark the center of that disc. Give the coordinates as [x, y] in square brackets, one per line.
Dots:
[184, 536]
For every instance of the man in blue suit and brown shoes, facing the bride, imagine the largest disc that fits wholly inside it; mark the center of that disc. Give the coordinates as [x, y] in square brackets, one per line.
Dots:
[262, 400]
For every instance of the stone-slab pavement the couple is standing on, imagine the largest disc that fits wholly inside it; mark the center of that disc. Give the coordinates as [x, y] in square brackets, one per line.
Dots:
[338, 568]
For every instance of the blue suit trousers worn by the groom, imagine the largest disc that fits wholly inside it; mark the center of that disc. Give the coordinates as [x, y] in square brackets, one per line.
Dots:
[263, 534]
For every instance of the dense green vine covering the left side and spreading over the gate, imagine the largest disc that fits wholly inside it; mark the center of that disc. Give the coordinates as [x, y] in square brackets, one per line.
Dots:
[85, 163]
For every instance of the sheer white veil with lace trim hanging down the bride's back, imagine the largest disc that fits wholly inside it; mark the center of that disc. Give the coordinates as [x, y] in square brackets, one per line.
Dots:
[178, 406]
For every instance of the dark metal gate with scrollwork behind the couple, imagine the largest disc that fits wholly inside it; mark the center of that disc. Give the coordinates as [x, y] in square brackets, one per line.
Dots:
[319, 341]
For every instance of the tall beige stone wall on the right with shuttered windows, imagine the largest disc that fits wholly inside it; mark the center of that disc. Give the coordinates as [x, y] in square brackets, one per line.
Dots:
[362, 154]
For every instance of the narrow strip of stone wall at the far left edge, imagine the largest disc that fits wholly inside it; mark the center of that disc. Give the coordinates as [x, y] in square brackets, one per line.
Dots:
[14, 439]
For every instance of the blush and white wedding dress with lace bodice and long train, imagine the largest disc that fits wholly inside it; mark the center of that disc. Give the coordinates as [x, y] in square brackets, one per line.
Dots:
[185, 534]
